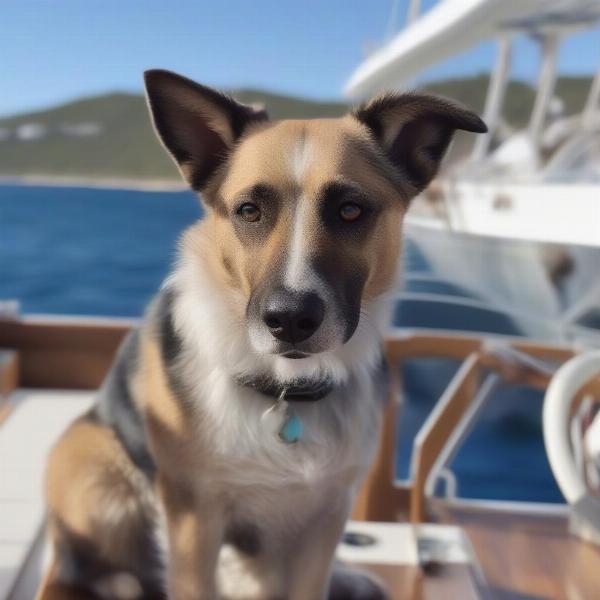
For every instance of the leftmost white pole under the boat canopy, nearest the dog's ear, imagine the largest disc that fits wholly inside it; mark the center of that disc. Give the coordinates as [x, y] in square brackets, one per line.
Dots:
[495, 97]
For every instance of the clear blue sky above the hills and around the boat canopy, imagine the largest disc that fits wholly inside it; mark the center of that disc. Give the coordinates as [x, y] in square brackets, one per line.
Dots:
[56, 50]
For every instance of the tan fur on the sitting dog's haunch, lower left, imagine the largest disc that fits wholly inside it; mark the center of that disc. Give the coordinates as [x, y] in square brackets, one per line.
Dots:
[97, 497]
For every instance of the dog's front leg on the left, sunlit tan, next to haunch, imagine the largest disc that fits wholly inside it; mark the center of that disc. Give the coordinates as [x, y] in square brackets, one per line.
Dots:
[195, 532]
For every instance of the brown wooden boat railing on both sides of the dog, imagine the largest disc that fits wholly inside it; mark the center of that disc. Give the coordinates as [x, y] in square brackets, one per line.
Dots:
[76, 354]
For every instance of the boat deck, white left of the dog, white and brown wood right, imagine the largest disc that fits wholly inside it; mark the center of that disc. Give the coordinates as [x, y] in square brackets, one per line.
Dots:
[497, 556]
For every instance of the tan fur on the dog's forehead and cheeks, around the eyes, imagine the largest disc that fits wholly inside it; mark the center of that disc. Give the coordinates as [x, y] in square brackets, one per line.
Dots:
[263, 158]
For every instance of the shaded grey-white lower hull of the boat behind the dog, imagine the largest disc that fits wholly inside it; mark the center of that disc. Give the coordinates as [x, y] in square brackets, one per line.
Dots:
[545, 287]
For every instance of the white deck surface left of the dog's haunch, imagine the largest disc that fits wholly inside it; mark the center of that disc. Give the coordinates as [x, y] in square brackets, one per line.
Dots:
[39, 417]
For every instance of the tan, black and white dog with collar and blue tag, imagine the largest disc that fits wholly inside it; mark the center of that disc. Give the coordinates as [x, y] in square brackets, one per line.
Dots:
[227, 442]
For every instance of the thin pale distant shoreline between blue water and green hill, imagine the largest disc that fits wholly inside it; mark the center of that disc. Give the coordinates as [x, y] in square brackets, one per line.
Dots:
[113, 183]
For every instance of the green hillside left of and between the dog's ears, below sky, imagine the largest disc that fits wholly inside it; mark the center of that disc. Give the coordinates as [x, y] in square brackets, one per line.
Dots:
[110, 137]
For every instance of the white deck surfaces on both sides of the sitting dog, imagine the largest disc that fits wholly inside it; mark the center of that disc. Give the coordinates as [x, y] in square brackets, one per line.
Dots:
[38, 419]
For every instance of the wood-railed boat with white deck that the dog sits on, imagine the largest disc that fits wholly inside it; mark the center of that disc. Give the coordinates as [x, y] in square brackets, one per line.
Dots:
[417, 534]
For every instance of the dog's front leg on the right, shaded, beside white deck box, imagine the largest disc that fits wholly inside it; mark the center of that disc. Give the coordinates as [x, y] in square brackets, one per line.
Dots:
[311, 557]
